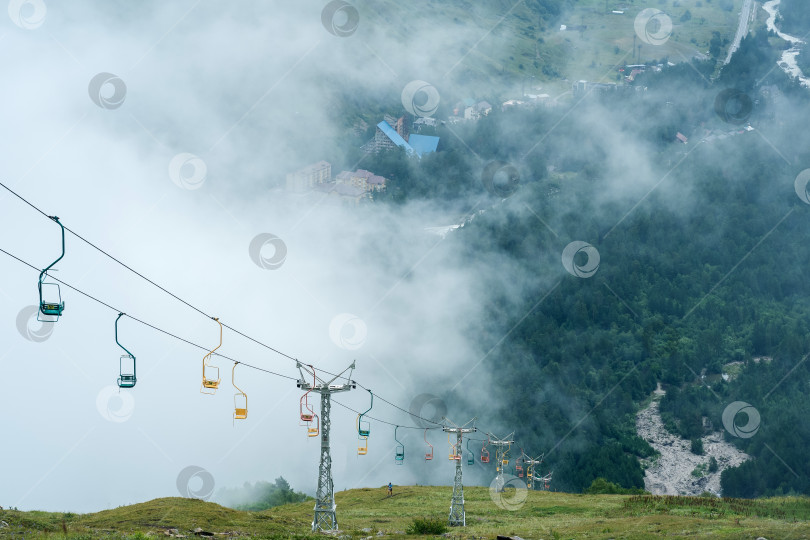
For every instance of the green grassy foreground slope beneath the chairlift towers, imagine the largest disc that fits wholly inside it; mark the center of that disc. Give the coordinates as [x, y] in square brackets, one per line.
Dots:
[365, 512]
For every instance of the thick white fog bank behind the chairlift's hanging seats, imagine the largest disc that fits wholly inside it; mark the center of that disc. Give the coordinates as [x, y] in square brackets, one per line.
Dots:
[239, 88]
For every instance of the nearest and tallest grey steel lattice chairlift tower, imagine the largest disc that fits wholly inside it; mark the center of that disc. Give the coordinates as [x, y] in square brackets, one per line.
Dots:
[325, 516]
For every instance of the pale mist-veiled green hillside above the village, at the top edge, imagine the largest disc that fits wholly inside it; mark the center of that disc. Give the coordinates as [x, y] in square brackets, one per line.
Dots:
[522, 41]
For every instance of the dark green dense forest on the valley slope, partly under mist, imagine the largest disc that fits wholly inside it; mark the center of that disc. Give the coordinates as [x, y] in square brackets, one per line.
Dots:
[702, 284]
